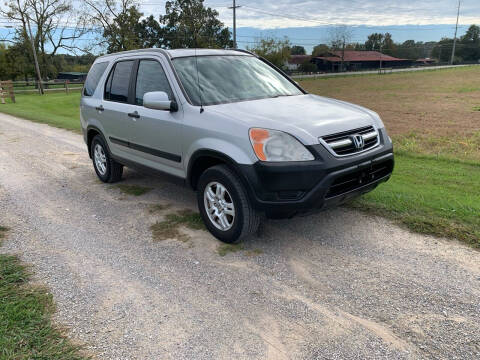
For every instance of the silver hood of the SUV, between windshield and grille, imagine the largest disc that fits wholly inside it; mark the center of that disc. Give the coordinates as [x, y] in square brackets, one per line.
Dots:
[307, 117]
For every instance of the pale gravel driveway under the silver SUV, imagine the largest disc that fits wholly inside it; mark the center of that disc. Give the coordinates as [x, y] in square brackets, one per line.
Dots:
[339, 284]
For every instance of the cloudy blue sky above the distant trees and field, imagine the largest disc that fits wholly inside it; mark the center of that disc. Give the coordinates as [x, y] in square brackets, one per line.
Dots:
[309, 22]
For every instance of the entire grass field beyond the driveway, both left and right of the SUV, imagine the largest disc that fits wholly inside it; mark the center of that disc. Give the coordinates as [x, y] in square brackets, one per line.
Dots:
[434, 120]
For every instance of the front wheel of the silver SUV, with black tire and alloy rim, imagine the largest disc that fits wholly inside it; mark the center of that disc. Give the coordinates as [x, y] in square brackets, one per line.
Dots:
[246, 219]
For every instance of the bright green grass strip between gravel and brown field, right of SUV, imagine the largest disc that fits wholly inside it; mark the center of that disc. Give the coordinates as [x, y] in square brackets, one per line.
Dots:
[430, 195]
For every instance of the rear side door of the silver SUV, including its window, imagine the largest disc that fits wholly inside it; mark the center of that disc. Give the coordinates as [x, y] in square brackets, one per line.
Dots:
[117, 111]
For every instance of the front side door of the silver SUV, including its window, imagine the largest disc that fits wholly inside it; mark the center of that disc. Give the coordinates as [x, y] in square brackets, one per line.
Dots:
[157, 132]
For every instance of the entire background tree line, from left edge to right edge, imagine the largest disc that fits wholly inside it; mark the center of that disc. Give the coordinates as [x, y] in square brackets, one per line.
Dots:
[56, 27]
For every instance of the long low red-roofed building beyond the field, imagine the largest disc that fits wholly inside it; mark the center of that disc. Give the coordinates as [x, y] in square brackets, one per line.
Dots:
[358, 60]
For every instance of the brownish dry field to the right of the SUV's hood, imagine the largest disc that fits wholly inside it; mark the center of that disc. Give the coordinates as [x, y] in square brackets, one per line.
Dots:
[432, 112]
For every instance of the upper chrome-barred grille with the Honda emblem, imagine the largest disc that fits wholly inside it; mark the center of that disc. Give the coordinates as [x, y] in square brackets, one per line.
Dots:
[343, 144]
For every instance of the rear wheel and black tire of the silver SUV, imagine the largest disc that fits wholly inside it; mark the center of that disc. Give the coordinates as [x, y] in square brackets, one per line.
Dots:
[107, 169]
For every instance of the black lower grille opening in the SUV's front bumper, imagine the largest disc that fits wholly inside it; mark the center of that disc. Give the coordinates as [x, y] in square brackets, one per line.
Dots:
[357, 179]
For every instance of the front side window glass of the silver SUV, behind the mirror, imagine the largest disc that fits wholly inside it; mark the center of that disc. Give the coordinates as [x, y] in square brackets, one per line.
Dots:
[151, 77]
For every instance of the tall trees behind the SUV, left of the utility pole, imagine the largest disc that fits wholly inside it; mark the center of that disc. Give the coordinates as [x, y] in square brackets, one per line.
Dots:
[115, 25]
